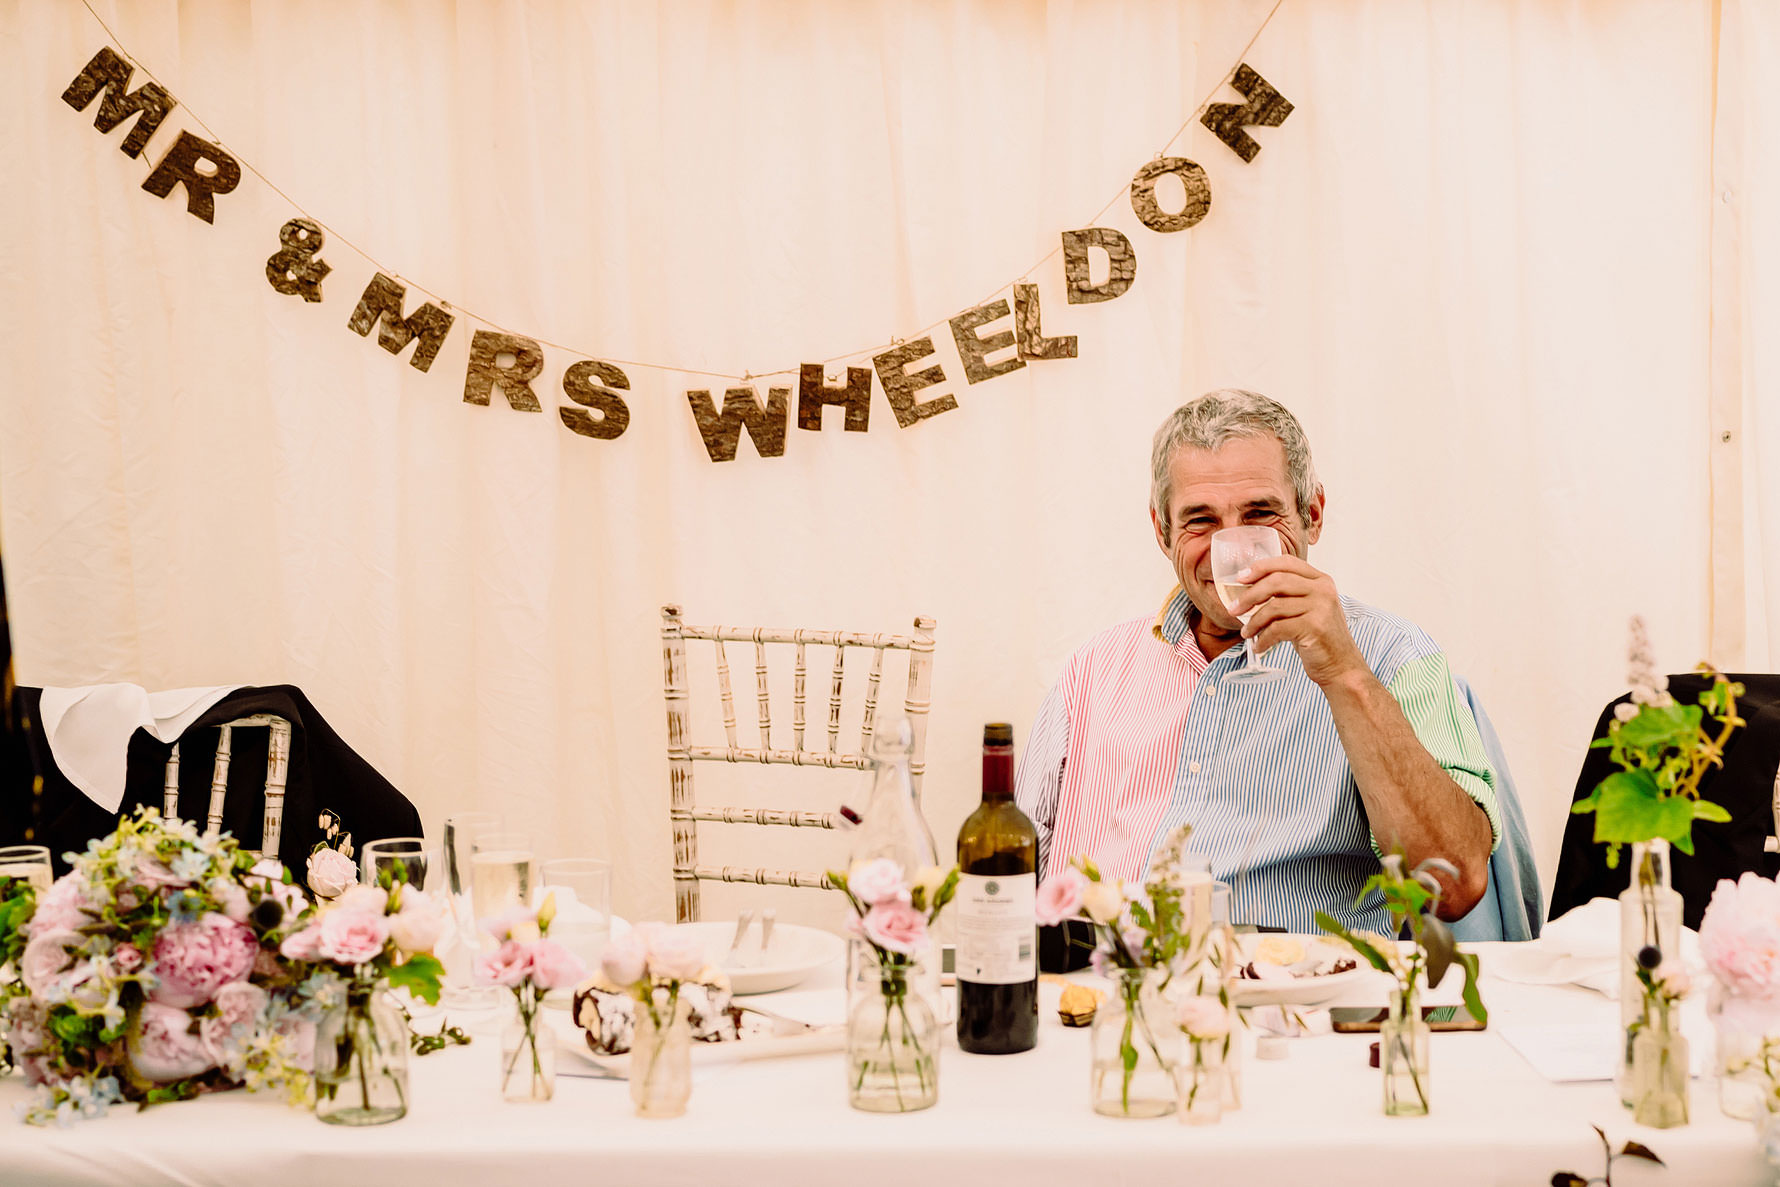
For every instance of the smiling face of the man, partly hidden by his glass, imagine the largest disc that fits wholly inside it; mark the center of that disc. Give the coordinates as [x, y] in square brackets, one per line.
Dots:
[1210, 490]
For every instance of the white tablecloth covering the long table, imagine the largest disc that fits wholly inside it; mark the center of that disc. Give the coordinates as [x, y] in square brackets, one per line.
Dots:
[1311, 1118]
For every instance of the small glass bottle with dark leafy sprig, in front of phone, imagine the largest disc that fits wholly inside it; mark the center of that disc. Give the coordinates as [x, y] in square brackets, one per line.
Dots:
[1412, 901]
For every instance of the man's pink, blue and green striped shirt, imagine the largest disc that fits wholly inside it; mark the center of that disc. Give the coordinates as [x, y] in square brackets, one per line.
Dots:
[1142, 736]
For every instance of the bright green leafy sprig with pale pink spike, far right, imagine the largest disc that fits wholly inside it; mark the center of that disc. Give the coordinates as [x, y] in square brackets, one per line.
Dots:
[1663, 750]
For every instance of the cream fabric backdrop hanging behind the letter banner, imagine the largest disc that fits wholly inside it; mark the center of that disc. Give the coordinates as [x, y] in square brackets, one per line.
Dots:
[1477, 261]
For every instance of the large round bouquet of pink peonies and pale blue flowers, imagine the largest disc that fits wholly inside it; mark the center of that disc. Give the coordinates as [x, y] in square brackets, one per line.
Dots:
[154, 973]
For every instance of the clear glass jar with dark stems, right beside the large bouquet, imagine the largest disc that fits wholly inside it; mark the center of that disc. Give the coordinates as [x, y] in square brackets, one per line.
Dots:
[362, 1060]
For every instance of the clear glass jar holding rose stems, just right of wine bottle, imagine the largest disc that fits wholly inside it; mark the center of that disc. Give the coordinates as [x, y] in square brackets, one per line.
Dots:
[1137, 1049]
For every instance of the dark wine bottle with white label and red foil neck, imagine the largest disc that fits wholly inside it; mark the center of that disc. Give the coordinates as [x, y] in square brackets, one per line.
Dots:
[998, 932]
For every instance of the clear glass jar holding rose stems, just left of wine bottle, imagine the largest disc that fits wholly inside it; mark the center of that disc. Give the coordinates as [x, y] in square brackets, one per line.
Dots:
[894, 1044]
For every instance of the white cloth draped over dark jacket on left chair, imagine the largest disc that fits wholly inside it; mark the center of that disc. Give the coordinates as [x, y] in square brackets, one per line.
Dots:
[90, 729]
